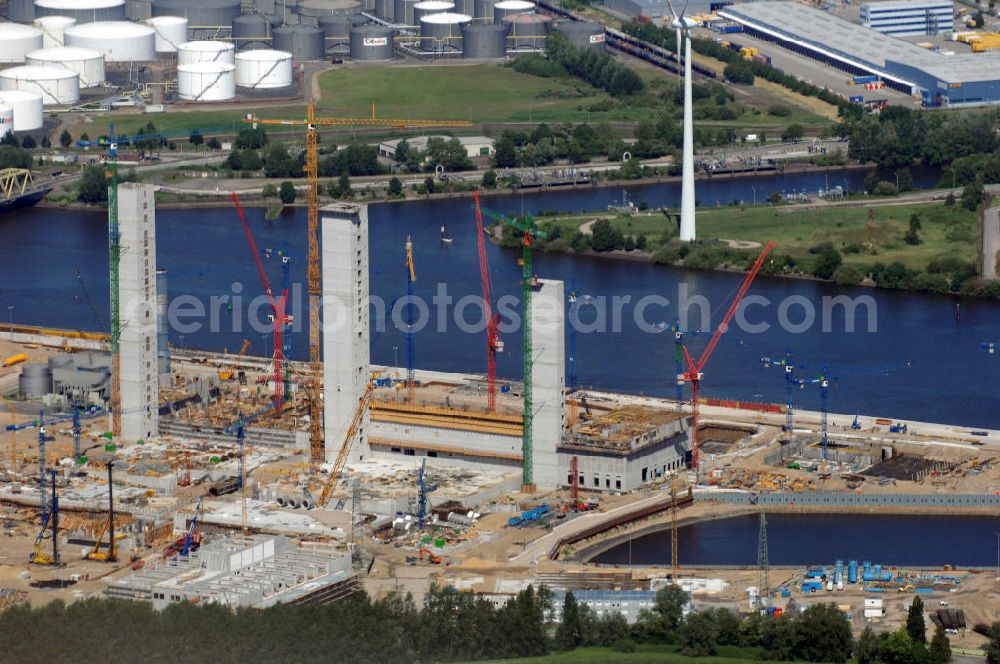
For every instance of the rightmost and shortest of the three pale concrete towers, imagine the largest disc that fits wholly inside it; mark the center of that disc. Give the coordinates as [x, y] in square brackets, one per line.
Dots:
[548, 327]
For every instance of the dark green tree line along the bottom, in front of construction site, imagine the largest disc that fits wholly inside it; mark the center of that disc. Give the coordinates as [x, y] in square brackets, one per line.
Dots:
[449, 626]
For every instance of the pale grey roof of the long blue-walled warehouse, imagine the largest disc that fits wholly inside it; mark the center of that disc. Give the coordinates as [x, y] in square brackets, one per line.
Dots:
[858, 45]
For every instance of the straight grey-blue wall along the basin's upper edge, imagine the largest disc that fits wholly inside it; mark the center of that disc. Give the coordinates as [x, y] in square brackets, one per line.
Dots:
[830, 499]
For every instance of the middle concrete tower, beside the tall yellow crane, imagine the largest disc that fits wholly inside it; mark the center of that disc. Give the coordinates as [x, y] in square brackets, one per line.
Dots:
[344, 236]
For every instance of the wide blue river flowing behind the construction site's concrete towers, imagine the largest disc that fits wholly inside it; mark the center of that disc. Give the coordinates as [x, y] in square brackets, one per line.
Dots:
[949, 378]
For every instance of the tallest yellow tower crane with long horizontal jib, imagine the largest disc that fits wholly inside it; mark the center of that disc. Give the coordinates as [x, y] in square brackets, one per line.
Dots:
[311, 122]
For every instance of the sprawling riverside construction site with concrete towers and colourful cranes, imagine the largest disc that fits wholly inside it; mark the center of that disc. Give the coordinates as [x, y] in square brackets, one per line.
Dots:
[138, 470]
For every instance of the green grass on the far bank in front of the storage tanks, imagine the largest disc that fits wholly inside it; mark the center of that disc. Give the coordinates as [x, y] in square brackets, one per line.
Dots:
[484, 94]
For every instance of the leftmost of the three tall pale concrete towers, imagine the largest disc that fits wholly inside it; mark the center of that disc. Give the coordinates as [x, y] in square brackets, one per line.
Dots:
[137, 294]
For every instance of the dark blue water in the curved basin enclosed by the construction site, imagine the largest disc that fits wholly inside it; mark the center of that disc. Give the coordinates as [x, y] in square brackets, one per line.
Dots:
[794, 539]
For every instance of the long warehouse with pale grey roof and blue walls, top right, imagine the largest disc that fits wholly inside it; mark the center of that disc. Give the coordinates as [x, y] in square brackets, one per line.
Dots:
[967, 79]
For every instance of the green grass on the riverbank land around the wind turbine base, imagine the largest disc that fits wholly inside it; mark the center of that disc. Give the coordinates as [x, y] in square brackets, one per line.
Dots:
[946, 231]
